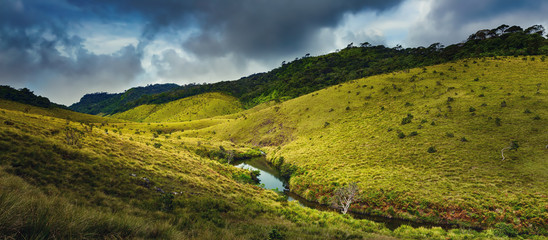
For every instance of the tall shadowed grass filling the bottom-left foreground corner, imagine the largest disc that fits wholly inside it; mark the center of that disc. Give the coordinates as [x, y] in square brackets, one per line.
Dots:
[30, 214]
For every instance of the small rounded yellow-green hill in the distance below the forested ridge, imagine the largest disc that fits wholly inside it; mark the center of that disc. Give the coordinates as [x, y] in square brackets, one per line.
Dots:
[192, 108]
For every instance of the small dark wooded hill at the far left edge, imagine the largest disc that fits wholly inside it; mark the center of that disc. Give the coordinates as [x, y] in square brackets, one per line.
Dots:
[26, 96]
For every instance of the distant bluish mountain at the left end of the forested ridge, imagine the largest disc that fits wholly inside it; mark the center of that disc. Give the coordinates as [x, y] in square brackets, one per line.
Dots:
[106, 103]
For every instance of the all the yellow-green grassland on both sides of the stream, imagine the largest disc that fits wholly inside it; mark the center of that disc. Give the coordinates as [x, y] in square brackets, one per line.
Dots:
[97, 187]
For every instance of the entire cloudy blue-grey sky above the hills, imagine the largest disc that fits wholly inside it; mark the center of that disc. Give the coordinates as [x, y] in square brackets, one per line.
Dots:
[63, 49]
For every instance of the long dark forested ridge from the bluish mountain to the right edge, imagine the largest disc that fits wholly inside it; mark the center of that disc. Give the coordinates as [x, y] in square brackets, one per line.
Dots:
[308, 74]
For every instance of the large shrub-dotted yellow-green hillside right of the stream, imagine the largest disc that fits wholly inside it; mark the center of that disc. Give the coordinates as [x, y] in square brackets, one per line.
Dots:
[422, 144]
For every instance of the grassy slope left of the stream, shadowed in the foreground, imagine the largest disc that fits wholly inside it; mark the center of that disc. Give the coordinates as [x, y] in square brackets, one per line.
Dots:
[120, 181]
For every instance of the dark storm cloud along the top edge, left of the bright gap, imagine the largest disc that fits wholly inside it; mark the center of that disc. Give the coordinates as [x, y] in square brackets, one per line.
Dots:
[249, 27]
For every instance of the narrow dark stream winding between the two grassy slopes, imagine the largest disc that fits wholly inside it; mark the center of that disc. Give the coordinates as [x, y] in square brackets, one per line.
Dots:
[270, 179]
